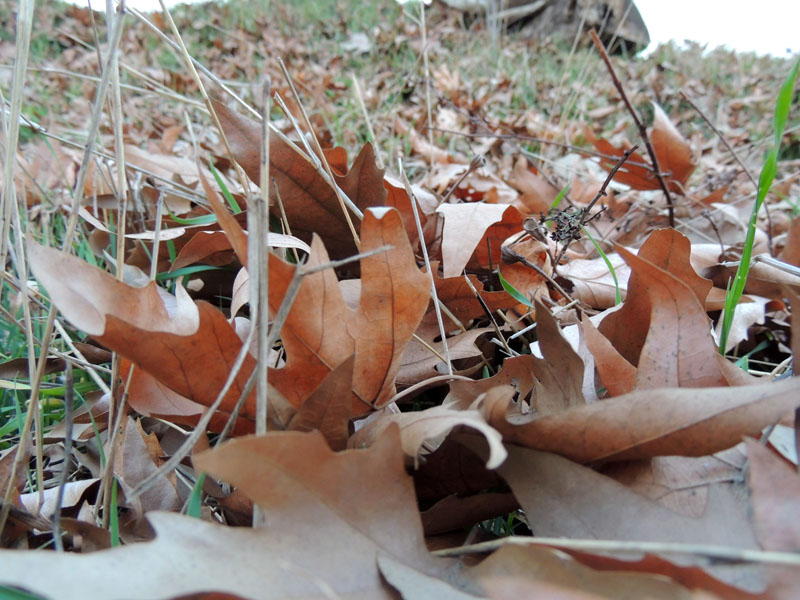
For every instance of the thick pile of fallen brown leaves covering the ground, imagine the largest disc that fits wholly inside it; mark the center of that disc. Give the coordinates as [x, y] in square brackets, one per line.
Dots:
[463, 396]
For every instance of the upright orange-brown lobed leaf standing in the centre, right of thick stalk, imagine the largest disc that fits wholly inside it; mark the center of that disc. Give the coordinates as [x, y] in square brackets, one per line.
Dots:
[321, 331]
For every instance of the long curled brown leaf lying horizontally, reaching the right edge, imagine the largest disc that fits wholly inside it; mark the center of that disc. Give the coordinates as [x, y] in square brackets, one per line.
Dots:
[647, 423]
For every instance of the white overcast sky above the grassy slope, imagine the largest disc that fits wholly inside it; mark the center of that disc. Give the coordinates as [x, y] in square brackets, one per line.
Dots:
[763, 26]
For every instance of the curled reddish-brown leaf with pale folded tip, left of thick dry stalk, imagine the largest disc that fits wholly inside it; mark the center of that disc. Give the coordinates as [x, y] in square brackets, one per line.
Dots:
[190, 350]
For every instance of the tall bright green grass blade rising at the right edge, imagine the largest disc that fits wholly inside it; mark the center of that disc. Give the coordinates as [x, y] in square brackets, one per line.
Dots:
[765, 180]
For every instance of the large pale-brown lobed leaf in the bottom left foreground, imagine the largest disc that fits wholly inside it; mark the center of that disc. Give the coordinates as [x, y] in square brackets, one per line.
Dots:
[320, 538]
